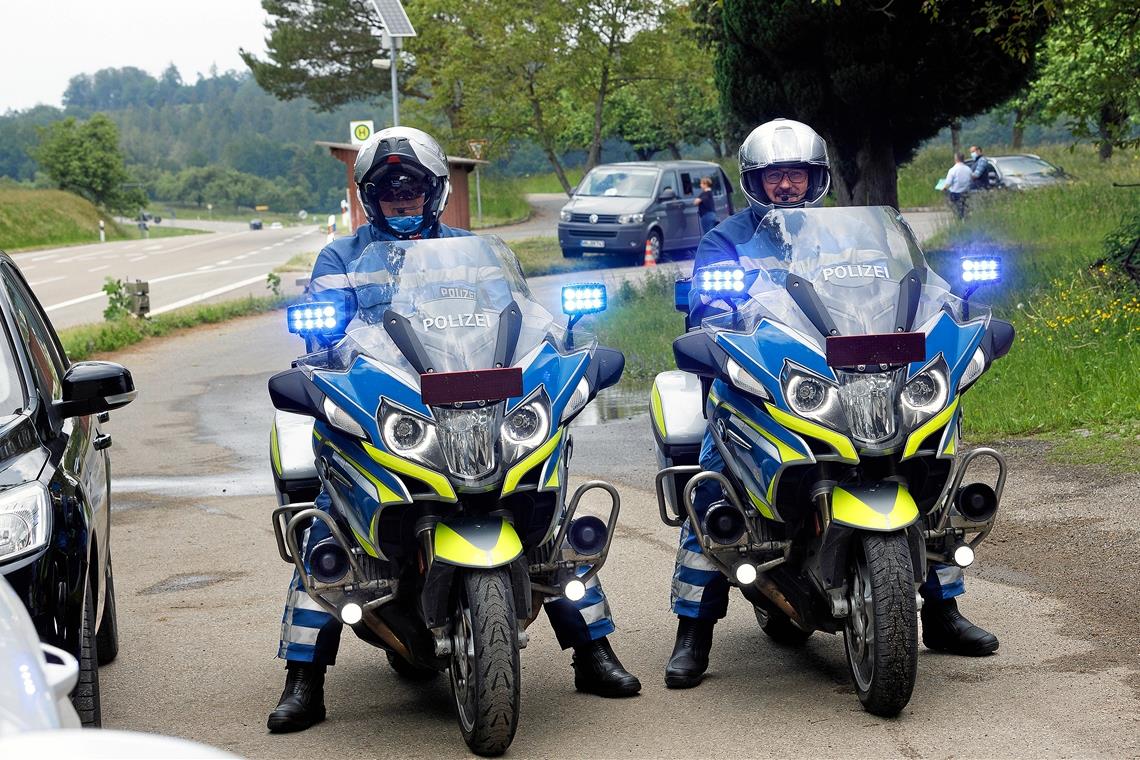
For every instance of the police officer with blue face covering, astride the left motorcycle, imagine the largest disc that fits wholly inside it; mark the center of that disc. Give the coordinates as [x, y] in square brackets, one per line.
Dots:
[403, 179]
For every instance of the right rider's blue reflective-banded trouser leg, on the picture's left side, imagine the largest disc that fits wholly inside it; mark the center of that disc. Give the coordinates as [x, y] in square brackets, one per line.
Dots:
[699, 590]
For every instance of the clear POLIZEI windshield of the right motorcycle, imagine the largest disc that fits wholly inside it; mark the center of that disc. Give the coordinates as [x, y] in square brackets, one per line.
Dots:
[854, 258]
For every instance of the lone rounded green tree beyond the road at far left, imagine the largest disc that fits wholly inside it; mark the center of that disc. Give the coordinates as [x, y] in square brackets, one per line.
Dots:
[84, 158]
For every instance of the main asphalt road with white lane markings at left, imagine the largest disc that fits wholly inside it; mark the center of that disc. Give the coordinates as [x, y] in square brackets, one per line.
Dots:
[230, 261]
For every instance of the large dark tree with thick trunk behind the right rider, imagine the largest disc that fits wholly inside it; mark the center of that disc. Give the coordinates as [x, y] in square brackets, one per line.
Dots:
[874, 79]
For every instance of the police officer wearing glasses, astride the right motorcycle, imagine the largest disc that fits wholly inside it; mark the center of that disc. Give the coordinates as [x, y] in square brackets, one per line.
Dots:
[784, 165]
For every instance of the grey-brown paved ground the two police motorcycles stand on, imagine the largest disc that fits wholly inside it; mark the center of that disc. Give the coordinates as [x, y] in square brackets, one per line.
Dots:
[201, 591]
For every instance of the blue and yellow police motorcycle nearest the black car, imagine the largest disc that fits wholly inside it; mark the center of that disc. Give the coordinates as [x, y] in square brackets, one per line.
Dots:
[439, 429]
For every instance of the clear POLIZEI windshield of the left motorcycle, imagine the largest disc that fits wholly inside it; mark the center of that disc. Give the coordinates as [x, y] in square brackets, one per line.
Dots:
[453, 295]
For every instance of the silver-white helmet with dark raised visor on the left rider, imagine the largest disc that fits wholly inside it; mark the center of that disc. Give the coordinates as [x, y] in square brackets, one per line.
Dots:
[402, 165]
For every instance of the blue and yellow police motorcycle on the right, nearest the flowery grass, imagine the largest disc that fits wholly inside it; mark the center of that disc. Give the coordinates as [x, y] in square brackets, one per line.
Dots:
[834, 379]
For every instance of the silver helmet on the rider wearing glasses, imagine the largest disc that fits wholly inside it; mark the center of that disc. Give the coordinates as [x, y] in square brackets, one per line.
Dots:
[784, 144]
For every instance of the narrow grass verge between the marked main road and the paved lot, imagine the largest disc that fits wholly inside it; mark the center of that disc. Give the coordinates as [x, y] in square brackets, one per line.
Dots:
[89, 340]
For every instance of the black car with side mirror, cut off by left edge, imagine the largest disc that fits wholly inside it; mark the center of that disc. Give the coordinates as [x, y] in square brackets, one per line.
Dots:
[55, 487]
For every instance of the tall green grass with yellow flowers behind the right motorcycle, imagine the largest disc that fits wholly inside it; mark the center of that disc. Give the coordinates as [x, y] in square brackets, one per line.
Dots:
[1076, 365]
